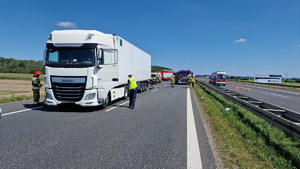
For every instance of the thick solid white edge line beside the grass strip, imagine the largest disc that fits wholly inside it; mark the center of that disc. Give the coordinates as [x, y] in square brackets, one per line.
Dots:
[193, 150]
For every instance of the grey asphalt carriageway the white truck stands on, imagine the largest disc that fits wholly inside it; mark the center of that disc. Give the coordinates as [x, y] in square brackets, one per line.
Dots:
[153, 135]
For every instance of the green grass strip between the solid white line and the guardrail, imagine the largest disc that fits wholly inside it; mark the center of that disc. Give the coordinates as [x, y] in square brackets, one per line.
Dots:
[245, 140]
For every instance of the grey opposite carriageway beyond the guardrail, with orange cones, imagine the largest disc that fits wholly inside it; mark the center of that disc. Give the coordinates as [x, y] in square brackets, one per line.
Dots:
[284, 98]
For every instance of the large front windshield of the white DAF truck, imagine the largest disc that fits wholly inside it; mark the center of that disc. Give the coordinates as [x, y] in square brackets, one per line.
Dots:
[71, 58]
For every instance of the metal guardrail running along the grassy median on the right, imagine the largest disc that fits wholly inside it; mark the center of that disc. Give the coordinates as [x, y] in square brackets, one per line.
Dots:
[287, 120]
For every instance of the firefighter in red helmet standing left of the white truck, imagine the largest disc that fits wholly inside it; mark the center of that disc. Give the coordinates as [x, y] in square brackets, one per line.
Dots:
[36, 85]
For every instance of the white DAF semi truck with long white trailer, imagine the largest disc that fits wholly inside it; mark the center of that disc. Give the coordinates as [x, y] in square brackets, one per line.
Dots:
[90, 68]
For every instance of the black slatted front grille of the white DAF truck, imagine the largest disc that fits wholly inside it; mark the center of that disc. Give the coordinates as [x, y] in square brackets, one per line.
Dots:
[69, 92]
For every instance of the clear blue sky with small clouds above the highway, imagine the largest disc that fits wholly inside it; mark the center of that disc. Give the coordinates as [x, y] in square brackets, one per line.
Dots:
[241, 37]
